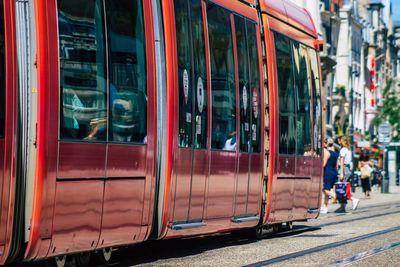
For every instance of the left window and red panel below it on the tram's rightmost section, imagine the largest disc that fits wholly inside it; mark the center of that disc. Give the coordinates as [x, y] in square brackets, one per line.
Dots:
[286, 169]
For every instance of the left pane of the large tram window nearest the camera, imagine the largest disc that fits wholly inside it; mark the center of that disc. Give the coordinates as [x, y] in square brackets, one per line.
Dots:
[82, 70]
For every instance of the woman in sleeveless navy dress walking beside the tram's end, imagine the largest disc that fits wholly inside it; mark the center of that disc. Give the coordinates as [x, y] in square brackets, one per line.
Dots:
[330, 173]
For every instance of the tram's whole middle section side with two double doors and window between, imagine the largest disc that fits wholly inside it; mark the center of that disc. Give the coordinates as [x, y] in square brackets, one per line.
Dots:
[213, 181]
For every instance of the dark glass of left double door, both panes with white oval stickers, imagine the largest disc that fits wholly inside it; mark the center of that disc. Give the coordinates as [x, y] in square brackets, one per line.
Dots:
[192, 73]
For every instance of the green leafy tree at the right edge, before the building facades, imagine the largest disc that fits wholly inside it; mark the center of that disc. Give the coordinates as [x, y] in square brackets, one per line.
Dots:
[390, 110]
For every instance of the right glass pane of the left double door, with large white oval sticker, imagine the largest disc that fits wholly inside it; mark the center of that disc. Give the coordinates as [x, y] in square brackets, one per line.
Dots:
[200, 70]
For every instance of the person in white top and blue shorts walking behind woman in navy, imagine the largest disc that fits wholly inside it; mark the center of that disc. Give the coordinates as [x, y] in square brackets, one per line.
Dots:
[345, 166]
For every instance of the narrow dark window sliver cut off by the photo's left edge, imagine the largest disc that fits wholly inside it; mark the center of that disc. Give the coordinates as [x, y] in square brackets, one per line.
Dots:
[2, 74]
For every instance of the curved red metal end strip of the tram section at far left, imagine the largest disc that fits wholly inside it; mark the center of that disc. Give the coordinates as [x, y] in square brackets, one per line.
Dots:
[8, 145]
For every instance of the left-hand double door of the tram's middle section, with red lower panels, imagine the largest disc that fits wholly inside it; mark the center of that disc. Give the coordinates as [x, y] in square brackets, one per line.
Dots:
[192, 164]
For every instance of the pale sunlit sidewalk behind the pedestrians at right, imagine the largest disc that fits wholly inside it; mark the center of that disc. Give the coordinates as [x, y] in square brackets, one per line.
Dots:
[376, 198]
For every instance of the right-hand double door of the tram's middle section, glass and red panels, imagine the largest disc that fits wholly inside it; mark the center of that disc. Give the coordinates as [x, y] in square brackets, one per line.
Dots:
[248, 181]
